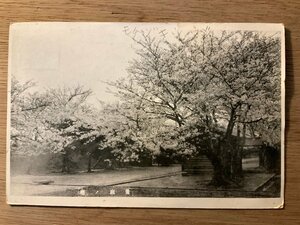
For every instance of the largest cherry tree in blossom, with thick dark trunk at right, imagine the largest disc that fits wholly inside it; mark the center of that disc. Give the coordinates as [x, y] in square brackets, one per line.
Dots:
[205, 85]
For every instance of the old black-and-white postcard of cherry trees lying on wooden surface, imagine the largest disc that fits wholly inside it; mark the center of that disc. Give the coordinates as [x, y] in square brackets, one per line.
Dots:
[164, 115]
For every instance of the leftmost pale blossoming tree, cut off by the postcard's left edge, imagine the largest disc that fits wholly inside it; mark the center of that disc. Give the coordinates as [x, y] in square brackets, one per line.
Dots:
[26, 109]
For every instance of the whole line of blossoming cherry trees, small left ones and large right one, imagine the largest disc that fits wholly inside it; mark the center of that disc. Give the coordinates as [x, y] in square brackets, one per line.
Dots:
[197, 92]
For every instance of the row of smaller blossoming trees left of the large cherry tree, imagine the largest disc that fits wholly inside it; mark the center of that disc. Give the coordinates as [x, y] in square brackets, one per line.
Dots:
[61, 123]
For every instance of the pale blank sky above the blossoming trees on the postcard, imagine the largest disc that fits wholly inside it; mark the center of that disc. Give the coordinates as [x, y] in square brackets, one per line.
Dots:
[68, 54]
